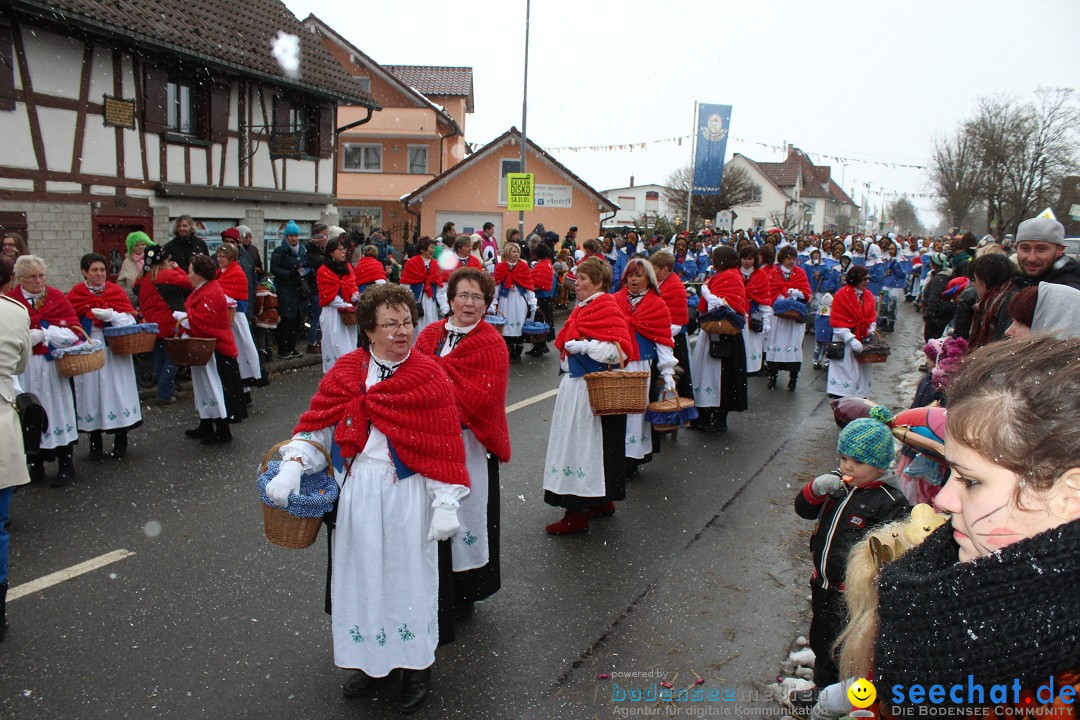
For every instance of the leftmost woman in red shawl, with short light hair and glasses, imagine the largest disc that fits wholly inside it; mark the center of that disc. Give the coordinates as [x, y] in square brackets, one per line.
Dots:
[52, 320]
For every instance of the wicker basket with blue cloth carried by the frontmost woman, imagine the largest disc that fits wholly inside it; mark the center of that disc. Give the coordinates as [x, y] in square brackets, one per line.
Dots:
[298, 525]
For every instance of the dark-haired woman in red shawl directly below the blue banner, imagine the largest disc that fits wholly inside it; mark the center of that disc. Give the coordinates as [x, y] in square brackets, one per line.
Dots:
[719, 362]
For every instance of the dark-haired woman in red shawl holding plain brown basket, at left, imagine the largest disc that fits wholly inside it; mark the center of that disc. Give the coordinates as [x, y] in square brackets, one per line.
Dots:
[219, 390]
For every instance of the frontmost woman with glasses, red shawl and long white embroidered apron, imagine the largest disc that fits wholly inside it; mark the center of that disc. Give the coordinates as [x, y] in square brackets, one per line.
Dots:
[393, 417]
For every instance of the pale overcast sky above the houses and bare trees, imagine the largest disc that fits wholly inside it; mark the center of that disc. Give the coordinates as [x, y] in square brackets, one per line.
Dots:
[845, 78]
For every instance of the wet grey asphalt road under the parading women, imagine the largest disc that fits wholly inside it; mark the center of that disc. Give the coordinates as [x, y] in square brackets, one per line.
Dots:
[701, 572]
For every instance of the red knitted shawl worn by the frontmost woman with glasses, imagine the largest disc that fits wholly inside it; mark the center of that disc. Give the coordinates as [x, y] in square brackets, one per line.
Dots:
[415, 409]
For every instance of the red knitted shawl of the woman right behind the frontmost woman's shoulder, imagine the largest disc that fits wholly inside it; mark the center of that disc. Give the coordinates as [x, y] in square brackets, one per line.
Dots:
[478, 368]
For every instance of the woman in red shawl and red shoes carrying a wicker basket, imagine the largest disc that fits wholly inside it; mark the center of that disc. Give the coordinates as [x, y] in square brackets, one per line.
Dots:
[585, 469]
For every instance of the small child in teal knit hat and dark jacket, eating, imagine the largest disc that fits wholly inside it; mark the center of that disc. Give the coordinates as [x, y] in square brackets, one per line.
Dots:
[846, 504]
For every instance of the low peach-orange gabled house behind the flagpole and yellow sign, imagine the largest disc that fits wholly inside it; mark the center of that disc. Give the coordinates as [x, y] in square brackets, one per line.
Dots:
[475, 193]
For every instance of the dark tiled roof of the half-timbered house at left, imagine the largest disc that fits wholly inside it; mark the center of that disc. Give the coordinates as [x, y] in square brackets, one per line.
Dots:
[234, 37]
